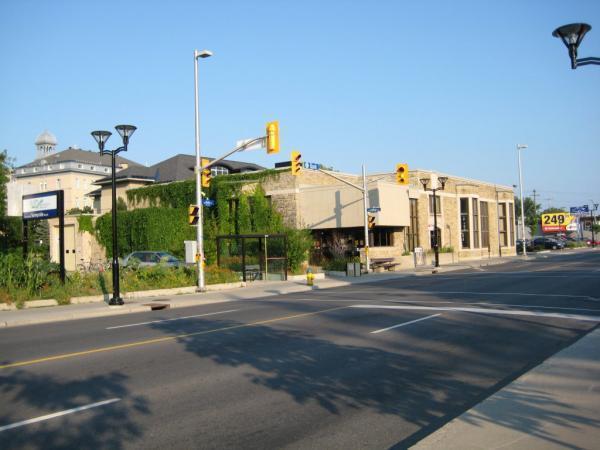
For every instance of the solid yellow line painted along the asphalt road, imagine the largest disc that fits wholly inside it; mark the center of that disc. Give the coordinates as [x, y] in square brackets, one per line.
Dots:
[157, 340]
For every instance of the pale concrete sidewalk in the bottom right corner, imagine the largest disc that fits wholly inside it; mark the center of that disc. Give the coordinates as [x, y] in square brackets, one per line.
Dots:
[555, 405]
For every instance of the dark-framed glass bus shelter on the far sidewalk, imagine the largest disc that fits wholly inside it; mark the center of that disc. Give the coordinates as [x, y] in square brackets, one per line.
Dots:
[254, 256]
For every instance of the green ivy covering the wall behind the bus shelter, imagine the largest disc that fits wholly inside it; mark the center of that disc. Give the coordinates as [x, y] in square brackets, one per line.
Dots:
[164, 224]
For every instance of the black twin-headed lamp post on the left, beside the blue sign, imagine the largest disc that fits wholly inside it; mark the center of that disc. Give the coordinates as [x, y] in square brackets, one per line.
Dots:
[101, 137]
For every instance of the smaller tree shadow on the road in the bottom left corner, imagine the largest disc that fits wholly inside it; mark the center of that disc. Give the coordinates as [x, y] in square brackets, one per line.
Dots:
[27, 395]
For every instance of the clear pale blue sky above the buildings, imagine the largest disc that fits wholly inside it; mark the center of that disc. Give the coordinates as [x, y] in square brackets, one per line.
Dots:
[449, 86]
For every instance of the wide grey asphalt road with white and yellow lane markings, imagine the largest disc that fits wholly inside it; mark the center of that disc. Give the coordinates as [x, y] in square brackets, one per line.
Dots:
[373, 365]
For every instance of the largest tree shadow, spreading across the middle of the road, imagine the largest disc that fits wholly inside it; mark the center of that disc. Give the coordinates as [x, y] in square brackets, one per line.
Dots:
[422, 384]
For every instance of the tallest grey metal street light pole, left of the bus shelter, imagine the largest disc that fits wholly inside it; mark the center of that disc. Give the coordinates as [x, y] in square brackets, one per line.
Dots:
[199, 228]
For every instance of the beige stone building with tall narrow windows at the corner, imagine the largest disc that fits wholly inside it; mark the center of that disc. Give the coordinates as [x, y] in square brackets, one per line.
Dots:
[475, 219]
